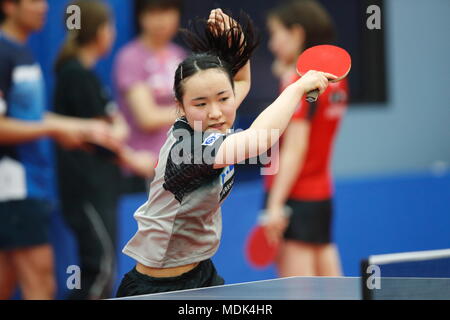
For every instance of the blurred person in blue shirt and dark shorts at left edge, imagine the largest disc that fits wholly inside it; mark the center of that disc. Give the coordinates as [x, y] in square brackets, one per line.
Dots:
[26, 256]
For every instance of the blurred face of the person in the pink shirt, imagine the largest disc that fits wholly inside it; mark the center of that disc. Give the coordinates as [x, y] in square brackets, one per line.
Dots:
[161, 25]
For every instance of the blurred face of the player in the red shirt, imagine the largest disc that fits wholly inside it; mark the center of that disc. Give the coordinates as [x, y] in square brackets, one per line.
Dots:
[284, 43]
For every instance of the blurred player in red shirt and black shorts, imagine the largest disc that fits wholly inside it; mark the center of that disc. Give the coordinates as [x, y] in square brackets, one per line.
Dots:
[303, 181]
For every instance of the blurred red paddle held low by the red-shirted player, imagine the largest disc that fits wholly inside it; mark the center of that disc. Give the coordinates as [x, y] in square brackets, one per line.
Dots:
[258, 249]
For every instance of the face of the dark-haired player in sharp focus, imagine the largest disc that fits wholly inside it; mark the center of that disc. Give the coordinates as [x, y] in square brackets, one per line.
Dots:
[209, 99]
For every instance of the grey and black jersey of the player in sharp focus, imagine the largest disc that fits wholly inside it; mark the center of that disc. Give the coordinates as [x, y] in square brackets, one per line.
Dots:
[181, 222]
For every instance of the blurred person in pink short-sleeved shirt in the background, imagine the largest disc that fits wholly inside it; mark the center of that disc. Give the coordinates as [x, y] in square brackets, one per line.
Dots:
[143, 77]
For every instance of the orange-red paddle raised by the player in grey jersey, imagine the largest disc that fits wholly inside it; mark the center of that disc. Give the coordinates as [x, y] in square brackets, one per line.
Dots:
[324, 58]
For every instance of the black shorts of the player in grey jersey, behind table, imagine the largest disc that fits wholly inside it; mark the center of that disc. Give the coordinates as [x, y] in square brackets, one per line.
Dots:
[203, 275]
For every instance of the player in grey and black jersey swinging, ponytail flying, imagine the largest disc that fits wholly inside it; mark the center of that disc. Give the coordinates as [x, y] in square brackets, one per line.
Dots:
[179, 227]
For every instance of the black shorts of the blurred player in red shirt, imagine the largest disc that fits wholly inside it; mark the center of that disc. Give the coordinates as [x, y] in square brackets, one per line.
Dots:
[311, 221]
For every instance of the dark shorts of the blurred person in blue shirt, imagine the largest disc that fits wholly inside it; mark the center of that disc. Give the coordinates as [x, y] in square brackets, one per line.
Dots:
[24, 223]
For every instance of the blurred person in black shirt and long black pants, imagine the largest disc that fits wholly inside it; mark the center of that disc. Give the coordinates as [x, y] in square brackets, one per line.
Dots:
[89, 182]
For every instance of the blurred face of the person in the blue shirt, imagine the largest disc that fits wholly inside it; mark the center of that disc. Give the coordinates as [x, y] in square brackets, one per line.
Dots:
[29, 14]
